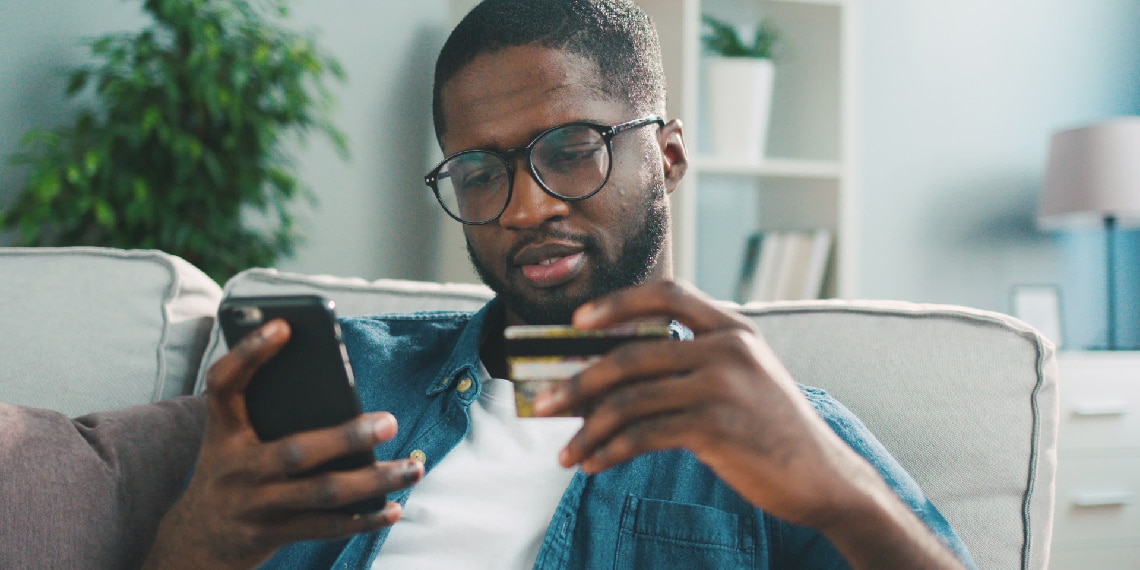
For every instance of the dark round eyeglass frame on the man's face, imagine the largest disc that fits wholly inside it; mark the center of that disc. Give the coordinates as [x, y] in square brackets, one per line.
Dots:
[508, 158]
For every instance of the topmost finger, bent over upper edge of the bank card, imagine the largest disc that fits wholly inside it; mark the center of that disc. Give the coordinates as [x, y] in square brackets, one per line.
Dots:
[677, 300]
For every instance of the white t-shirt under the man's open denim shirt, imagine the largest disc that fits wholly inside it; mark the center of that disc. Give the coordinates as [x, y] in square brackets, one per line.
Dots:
[490, 502]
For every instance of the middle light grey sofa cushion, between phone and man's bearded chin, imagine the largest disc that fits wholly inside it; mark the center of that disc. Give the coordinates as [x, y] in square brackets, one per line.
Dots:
[353, 297]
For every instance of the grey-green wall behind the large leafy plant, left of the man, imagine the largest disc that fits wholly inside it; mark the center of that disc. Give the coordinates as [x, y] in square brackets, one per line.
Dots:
[376, 217]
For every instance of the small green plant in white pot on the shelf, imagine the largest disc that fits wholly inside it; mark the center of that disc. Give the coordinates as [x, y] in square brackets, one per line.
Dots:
[739, 79]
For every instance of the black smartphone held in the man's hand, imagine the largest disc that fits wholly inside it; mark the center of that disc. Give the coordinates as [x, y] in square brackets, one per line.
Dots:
[308, 385]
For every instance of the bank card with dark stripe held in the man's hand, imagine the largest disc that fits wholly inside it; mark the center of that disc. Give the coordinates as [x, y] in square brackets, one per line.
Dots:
[540, 356]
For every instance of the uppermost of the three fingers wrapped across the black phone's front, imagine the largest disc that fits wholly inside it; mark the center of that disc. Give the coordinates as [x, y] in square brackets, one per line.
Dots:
[303, 452]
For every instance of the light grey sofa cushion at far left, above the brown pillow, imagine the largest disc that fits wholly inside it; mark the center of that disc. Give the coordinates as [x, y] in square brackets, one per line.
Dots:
[95, 329]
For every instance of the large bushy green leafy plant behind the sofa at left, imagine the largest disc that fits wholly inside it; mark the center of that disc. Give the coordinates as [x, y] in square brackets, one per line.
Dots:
[184, 148]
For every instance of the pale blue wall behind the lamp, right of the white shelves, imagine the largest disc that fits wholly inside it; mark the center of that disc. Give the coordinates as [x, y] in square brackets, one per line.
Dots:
[958, 102]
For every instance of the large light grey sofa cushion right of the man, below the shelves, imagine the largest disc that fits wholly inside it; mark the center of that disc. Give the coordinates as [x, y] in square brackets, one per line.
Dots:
[965, 400]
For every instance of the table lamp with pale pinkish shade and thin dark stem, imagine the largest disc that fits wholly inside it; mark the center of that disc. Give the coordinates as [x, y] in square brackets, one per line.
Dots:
[1094, 180]
